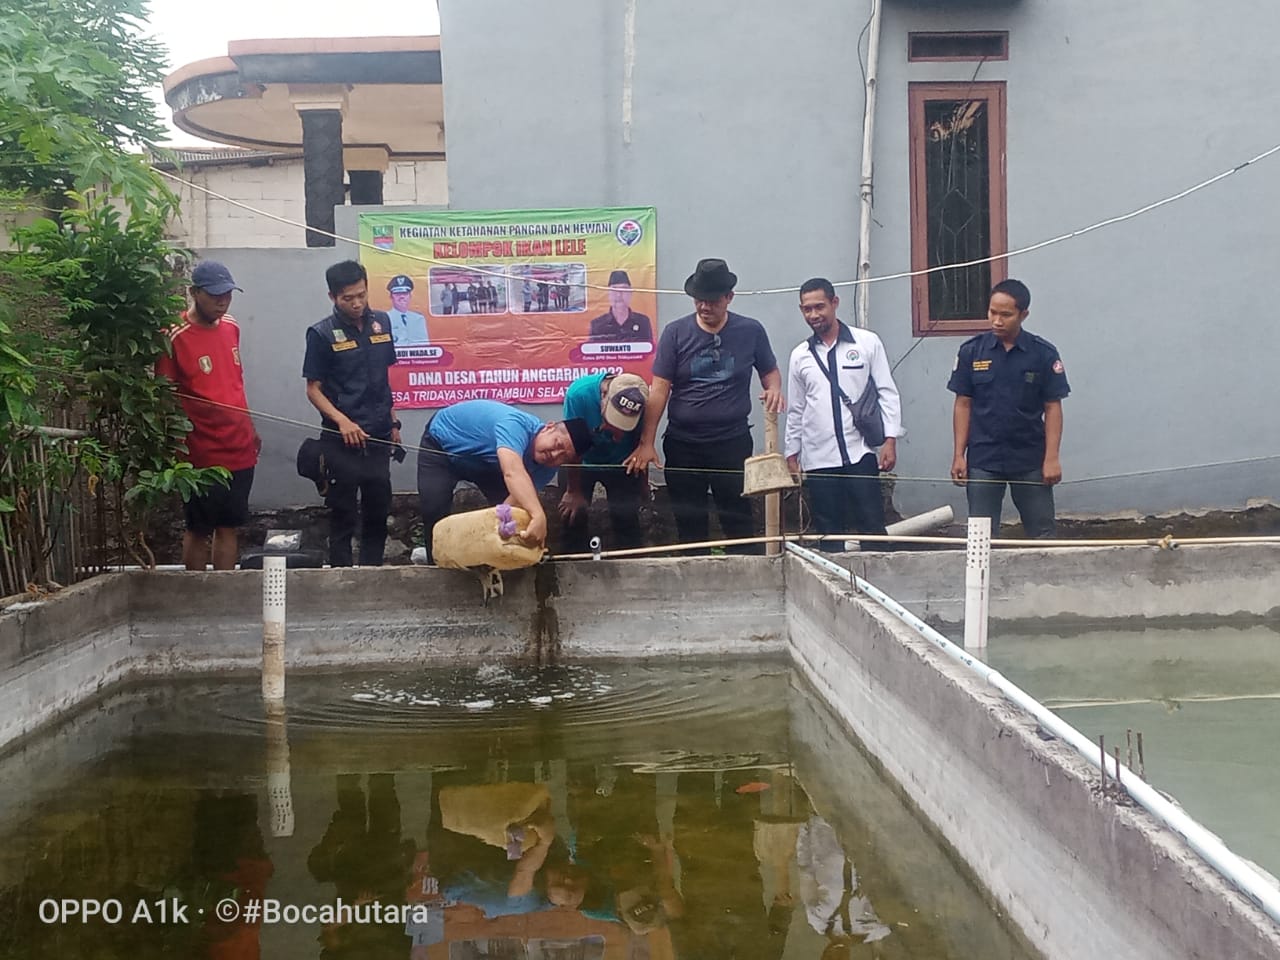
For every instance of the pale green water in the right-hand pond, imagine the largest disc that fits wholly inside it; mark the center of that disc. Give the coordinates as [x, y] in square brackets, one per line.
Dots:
[1206, 701]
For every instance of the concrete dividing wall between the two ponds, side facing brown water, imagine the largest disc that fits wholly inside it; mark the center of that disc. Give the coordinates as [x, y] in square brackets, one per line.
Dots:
[1078, 874]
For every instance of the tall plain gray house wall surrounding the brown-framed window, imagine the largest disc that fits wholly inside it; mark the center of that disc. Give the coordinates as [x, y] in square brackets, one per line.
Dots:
[747, 132]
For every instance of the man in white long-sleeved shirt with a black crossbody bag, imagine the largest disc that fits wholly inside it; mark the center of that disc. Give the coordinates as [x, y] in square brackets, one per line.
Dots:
[842, 469]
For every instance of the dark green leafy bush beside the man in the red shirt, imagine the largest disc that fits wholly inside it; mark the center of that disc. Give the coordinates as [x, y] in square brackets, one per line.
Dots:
[115, 277]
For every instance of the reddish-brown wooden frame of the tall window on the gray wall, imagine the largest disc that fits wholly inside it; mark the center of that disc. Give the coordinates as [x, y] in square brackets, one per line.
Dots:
[918, 94]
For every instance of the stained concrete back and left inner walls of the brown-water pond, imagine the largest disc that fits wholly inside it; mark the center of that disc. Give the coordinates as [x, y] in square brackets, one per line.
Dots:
[60, 653]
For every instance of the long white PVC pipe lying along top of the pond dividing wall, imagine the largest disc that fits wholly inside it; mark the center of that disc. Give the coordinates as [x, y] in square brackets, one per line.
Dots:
[1210, 848]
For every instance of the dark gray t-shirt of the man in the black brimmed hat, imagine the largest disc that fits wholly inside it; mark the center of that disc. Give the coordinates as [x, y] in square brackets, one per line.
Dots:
[711, 377]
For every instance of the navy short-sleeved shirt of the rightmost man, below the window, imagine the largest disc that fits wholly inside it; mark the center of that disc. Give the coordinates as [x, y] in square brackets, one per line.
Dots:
[1009, 390]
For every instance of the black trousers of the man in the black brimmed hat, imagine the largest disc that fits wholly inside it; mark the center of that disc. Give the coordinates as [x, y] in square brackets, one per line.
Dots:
[692, 469]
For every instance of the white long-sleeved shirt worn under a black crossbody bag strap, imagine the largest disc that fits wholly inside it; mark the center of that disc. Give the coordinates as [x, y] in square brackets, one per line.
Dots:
[817, 419]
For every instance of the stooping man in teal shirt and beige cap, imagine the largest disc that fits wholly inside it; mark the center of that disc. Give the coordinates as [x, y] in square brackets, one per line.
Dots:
[612, 406]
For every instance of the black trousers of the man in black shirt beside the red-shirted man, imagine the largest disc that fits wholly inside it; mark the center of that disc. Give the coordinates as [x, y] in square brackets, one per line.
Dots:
[364, 472]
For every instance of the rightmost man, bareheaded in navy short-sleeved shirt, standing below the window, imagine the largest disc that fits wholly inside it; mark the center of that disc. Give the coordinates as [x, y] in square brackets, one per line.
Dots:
[1008, 418]
